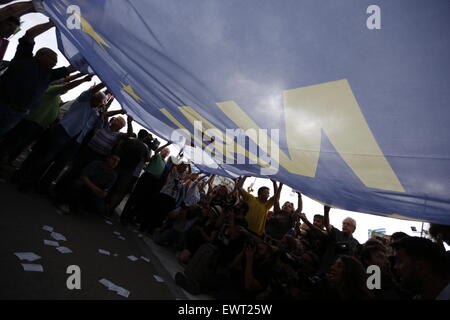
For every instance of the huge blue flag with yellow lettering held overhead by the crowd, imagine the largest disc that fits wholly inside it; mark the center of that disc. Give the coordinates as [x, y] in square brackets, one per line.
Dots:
[346, 101]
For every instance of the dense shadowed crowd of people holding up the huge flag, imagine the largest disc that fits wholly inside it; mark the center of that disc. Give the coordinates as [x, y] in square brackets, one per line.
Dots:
[230, 244]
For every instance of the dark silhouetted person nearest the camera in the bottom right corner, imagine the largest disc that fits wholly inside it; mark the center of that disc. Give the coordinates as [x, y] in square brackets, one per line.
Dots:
[422, 268]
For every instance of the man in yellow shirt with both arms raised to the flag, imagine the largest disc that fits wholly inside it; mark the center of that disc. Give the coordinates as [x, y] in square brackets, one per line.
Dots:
[258, 206]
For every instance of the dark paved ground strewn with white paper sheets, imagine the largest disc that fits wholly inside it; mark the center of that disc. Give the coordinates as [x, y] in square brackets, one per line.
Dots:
[22, 217]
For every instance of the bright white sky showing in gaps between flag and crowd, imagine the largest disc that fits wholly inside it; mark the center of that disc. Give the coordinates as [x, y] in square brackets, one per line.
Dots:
[364, 221]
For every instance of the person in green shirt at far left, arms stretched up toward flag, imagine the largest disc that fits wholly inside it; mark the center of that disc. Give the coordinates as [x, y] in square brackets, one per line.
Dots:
[38, 120]
